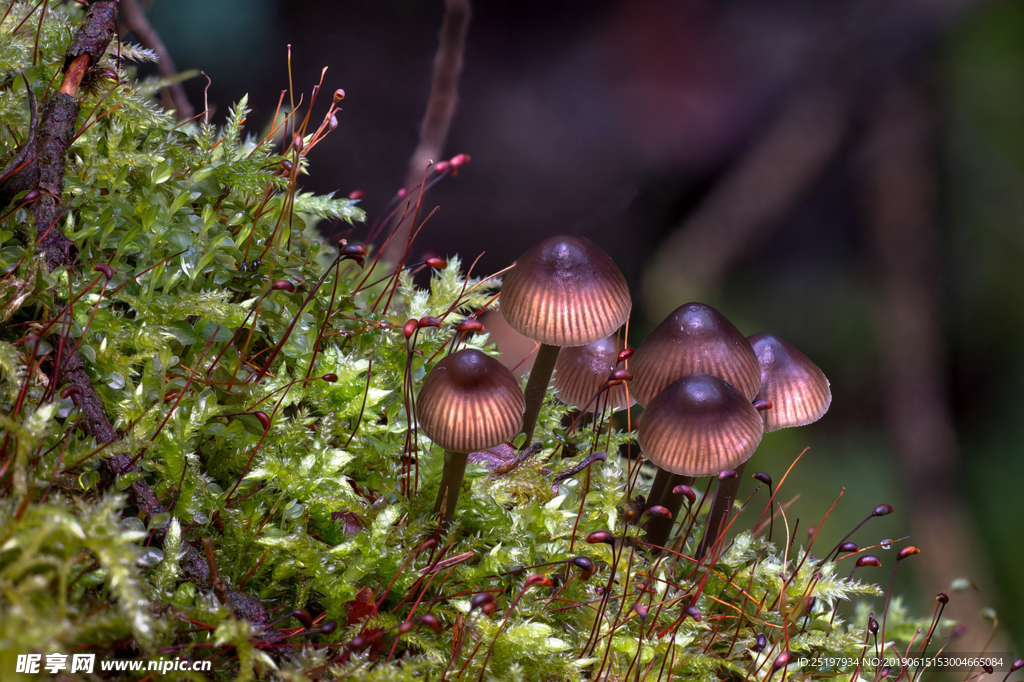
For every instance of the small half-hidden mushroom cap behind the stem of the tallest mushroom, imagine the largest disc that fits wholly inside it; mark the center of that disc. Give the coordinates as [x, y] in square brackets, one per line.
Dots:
[581, 371]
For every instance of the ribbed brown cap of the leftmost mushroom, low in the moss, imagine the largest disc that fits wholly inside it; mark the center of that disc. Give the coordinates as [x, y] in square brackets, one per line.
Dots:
[470, 402]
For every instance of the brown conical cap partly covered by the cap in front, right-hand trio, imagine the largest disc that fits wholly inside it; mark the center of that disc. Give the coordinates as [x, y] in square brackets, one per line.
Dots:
[695, 338]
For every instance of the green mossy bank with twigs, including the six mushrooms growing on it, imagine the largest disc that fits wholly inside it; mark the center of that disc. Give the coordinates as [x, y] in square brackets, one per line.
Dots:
[229, 438]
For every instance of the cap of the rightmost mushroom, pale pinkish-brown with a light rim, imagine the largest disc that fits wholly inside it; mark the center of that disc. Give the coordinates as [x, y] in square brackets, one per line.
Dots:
[798, 391]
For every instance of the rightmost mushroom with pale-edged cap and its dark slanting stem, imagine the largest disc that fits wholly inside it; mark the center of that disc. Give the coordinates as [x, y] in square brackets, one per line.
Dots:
[794, 393]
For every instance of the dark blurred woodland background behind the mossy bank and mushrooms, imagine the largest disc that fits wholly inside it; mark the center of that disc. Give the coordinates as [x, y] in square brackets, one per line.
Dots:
[848, 176]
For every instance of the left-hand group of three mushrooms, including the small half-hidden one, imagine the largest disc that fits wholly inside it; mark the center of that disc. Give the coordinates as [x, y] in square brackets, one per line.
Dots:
[564, 292]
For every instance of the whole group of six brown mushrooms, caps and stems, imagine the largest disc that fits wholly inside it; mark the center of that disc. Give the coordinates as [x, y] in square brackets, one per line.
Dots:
[703, 383]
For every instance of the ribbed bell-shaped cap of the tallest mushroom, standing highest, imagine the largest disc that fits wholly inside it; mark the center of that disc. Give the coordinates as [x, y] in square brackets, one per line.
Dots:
[566, 291]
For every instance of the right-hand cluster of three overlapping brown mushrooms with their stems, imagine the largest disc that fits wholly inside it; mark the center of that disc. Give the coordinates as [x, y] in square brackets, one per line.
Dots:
[704, 385]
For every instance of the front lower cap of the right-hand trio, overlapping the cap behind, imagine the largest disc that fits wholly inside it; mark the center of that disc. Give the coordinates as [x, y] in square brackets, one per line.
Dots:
[699, 427]
